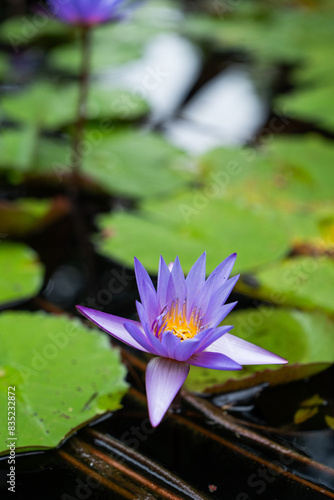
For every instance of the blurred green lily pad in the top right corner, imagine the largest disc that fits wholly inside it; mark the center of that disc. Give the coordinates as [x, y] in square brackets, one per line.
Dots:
[278, 32]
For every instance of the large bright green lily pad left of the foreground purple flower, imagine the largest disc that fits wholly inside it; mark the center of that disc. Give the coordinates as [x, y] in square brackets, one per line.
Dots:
[64, 375]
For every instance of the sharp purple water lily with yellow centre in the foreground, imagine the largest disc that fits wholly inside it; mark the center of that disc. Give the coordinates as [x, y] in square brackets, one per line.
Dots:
[179, 322]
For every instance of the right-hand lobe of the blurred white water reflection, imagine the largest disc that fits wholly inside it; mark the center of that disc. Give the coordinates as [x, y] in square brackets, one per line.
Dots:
[226, 111]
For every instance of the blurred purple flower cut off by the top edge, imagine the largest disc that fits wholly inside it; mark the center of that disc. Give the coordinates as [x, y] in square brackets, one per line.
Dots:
[88, 12]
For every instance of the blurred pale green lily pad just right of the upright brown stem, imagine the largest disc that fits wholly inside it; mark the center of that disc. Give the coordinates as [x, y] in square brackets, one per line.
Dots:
[137, 164]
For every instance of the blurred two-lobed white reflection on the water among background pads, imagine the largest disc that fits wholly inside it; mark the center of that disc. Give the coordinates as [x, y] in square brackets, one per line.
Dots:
[225, 111]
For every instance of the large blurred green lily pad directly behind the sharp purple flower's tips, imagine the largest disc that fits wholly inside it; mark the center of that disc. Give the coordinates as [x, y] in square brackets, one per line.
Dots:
[187, 226]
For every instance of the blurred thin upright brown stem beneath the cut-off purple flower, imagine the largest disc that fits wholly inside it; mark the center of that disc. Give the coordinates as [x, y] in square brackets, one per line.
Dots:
[85, 41]
